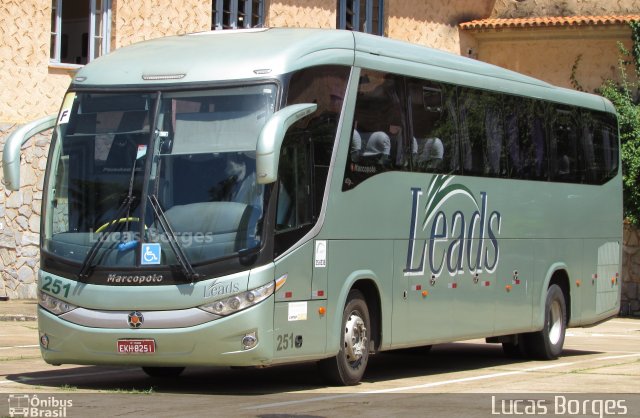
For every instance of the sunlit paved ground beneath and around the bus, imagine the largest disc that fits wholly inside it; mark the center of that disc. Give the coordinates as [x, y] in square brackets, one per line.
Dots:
[598, 375]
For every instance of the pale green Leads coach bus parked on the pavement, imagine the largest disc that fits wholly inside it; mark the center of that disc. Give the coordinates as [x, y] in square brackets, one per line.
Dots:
[268, 196]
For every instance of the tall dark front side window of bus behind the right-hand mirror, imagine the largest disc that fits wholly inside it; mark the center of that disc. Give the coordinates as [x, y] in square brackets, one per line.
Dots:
[307, 150]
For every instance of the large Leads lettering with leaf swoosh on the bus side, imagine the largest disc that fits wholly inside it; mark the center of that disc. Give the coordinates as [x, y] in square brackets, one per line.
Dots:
[455, 240]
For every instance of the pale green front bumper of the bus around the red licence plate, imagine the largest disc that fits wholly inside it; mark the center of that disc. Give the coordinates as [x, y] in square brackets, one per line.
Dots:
[214, 343]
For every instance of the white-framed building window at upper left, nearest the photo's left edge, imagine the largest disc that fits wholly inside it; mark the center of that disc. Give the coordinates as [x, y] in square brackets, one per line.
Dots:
[80, 30]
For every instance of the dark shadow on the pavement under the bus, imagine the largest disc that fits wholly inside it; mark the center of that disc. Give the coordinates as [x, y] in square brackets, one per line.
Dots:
[442, 359]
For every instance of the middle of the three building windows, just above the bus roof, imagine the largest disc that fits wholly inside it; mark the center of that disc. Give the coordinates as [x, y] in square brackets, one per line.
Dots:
[236, 14]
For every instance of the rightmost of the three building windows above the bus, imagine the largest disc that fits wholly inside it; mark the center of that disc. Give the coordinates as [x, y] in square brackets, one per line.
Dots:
[361, 16]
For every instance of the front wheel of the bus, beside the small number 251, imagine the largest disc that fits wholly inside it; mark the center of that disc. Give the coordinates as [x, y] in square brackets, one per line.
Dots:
[348, 366]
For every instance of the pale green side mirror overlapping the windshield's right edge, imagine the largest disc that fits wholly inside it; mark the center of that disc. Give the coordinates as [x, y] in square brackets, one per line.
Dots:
[271, 137]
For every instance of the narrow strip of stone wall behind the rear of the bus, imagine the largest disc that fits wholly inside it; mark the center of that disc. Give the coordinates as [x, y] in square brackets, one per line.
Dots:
[630, 303]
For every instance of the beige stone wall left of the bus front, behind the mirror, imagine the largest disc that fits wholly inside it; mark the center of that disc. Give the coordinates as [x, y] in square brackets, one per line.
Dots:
[20, 220]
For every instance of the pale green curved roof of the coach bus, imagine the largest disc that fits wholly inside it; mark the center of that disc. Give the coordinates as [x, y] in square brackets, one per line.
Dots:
[258, 53]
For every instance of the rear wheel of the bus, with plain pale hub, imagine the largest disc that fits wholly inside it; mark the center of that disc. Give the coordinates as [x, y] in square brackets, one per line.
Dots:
[547, 343]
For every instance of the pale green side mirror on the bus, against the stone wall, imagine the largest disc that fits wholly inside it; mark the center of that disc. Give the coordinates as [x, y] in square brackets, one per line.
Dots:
[11, 153]
